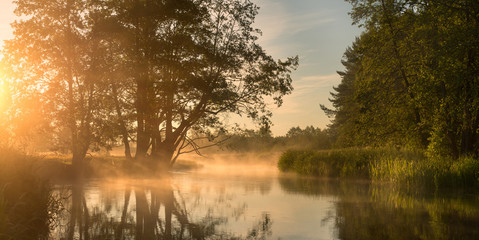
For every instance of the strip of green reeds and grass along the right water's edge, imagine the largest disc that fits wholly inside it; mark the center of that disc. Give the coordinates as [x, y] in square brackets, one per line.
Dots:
[407, 168]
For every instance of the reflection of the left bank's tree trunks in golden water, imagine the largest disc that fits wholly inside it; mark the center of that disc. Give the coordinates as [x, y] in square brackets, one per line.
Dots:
[155, 211]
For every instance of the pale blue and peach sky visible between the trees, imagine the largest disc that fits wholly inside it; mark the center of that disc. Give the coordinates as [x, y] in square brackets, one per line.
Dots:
[318, 31]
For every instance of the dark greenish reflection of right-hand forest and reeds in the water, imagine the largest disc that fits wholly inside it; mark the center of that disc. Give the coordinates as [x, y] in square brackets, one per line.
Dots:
[365, 211]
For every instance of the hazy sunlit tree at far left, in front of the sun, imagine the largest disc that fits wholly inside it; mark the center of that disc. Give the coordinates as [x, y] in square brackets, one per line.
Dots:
[54, 58]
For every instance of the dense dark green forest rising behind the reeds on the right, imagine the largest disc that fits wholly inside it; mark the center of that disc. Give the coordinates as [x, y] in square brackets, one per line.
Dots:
[411, 79]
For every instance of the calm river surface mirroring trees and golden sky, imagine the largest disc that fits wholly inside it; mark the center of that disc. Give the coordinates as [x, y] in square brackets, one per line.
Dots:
[204, 206]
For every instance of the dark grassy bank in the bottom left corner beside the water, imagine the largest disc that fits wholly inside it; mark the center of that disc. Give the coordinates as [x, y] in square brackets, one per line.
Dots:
[26, 203]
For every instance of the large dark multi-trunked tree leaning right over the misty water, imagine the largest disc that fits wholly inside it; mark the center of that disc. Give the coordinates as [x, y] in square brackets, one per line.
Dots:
[199, 59]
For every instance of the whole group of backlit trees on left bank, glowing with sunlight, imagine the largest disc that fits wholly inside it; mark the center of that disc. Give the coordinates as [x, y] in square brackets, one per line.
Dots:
[158, 75]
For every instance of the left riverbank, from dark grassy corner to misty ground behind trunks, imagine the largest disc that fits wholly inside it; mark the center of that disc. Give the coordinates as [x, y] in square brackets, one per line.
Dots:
[27, 202]
